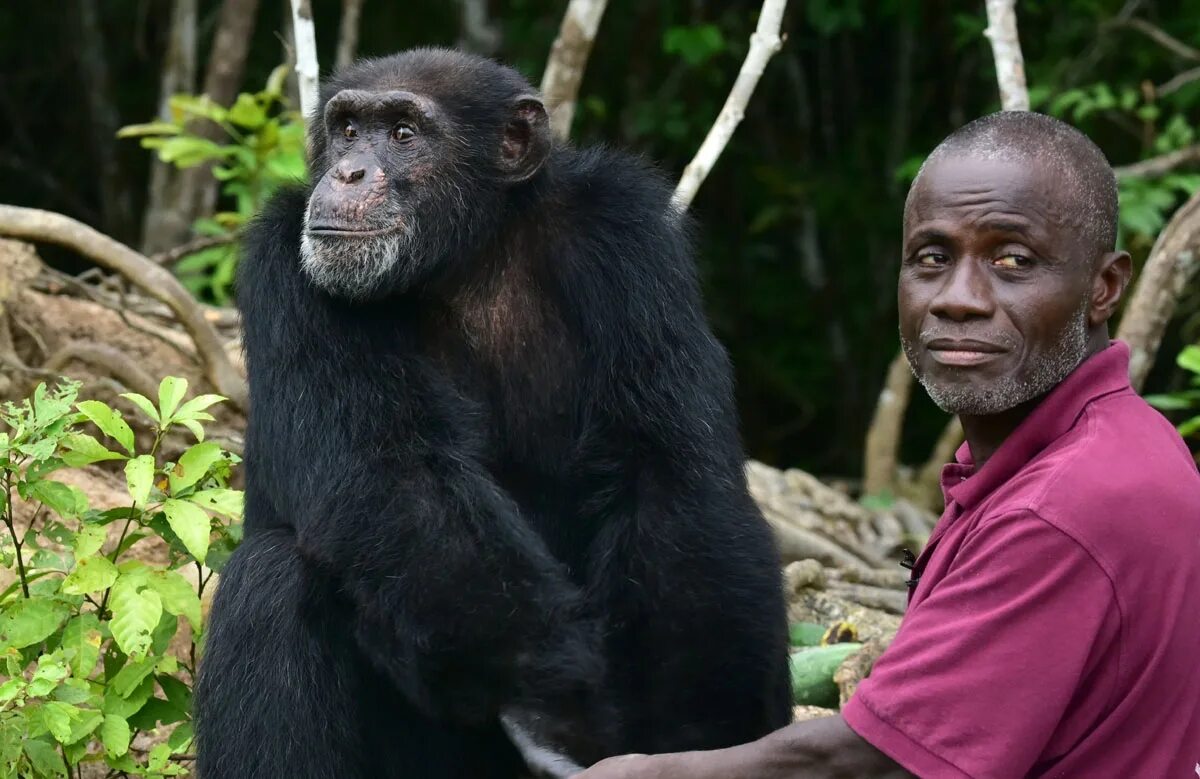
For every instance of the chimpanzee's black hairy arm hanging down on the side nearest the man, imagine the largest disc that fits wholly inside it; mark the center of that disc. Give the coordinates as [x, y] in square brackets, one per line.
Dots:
[697, 543]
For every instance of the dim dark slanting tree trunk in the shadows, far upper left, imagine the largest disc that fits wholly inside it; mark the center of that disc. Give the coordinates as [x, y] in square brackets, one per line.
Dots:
[117, 206]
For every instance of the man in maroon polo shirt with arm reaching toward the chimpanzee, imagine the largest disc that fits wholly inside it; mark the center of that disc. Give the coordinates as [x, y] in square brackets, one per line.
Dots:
[1054, 630]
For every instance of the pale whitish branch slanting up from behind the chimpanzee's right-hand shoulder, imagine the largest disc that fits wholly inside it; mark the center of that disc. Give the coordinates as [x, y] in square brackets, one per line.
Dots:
[764, 44]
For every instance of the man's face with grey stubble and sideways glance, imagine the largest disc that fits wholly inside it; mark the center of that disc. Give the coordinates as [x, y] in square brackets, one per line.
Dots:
[995, 285]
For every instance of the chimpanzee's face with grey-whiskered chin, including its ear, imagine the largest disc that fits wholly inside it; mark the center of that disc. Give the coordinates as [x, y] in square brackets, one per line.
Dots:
[406, 187]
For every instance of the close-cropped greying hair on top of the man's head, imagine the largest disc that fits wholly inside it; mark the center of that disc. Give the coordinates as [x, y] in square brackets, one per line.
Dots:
[1089, 188]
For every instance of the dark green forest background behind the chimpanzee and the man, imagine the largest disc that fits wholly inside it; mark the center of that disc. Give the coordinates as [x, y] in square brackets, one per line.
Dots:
[801, 218]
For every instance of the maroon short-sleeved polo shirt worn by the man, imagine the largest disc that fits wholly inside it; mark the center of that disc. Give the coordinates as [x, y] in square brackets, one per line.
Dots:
[1055, 628]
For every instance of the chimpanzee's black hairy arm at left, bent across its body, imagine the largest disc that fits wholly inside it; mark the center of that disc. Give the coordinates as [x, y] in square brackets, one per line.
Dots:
[373, 459]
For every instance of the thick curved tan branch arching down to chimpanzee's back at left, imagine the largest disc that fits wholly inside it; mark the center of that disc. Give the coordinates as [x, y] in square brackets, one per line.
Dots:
[35, 225]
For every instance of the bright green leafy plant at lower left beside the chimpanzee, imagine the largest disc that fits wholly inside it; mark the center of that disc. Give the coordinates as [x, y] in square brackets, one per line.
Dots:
[87, 630]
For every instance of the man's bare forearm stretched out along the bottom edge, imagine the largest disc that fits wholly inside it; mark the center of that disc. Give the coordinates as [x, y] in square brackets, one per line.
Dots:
[817, 750]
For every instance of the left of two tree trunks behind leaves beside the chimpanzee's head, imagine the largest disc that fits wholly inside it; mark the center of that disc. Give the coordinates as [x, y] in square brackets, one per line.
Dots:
[164, 225]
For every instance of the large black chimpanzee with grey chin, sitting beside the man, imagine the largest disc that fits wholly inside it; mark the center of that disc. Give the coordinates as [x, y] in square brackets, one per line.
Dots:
[493, 468]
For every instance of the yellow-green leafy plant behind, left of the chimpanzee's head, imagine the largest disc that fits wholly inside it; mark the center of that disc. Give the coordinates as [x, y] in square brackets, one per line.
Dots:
[265, 149]
